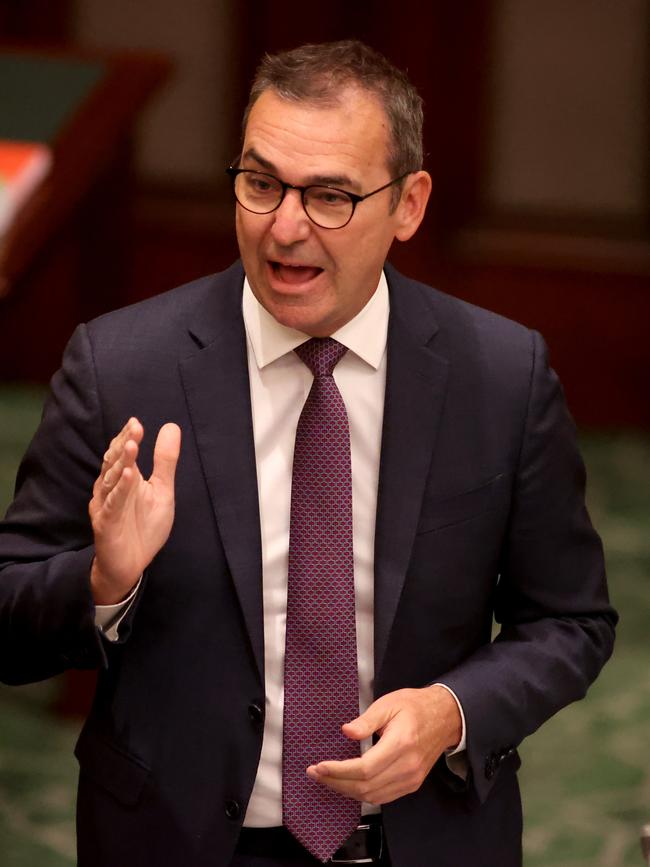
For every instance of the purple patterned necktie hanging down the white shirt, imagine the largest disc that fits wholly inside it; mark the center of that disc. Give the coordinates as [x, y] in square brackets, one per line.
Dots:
[321, 687]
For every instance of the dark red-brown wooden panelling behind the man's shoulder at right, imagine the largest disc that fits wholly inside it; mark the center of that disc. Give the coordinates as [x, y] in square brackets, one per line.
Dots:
[595, 326]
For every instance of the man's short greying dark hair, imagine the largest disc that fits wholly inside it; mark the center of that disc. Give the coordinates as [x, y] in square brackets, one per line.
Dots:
[318, 73]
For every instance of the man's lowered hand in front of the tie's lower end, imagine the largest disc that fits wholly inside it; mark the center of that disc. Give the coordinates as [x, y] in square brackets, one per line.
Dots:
[415, 726]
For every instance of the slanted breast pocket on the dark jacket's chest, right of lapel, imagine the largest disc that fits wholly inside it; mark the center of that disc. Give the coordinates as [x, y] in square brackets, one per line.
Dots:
[438, 513]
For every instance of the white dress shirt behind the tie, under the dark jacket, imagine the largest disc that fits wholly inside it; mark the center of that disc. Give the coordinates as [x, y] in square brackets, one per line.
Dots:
[280, 383]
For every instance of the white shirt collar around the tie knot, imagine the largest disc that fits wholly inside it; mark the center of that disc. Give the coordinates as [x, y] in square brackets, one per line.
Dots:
[365, 335]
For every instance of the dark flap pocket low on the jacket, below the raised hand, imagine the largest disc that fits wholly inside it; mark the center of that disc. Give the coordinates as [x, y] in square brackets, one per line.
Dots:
[111, 768]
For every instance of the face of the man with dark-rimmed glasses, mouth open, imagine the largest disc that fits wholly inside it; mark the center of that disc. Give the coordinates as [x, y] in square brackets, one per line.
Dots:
[308, 278]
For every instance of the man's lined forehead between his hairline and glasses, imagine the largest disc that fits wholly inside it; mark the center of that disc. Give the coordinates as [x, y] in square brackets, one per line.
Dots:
[300, 137]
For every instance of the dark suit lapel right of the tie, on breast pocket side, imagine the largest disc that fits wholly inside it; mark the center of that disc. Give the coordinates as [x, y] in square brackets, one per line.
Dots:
[415, 388]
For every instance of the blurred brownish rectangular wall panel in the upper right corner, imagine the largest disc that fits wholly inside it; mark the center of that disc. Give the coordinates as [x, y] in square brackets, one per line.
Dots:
[569, 99]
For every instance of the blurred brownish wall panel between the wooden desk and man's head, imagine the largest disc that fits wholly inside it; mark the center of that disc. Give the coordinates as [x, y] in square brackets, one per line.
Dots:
[184, 134]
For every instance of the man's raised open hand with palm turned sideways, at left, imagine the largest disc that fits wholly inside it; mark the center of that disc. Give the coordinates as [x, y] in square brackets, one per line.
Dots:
[131, 516]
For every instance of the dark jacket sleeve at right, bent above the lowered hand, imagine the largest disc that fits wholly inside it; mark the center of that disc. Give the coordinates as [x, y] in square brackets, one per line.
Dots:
[557, 627]
